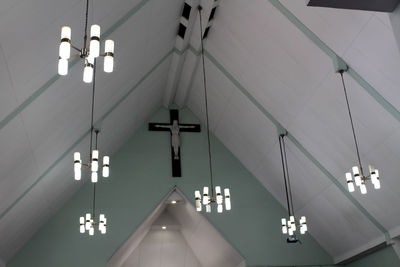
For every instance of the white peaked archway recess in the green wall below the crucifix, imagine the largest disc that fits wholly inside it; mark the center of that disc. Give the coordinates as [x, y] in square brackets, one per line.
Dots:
[176, 235]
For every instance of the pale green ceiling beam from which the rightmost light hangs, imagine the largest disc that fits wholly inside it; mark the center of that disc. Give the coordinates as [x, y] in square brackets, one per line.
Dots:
[329, 52]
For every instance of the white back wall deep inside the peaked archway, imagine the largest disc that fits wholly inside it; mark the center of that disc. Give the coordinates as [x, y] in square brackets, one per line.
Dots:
[162, 248]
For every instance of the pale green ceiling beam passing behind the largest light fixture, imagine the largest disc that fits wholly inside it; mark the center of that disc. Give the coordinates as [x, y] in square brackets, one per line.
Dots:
[53, 79]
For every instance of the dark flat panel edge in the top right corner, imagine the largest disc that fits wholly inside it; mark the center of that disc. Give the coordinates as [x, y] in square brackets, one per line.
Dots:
[369, 5]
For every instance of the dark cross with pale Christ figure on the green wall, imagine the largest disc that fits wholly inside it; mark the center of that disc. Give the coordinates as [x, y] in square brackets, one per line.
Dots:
[175, 128]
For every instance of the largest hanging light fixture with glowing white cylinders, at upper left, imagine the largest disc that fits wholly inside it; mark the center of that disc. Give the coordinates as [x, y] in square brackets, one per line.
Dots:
[87, 53]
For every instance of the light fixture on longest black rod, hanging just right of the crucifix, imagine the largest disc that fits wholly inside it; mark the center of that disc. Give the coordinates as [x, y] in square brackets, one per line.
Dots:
[213, 196]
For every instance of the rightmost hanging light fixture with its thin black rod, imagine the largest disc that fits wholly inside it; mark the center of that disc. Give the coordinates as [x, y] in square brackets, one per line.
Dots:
[357, 176]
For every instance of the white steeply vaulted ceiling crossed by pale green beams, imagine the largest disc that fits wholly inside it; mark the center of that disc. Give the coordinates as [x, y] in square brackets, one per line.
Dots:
[262, 71]
